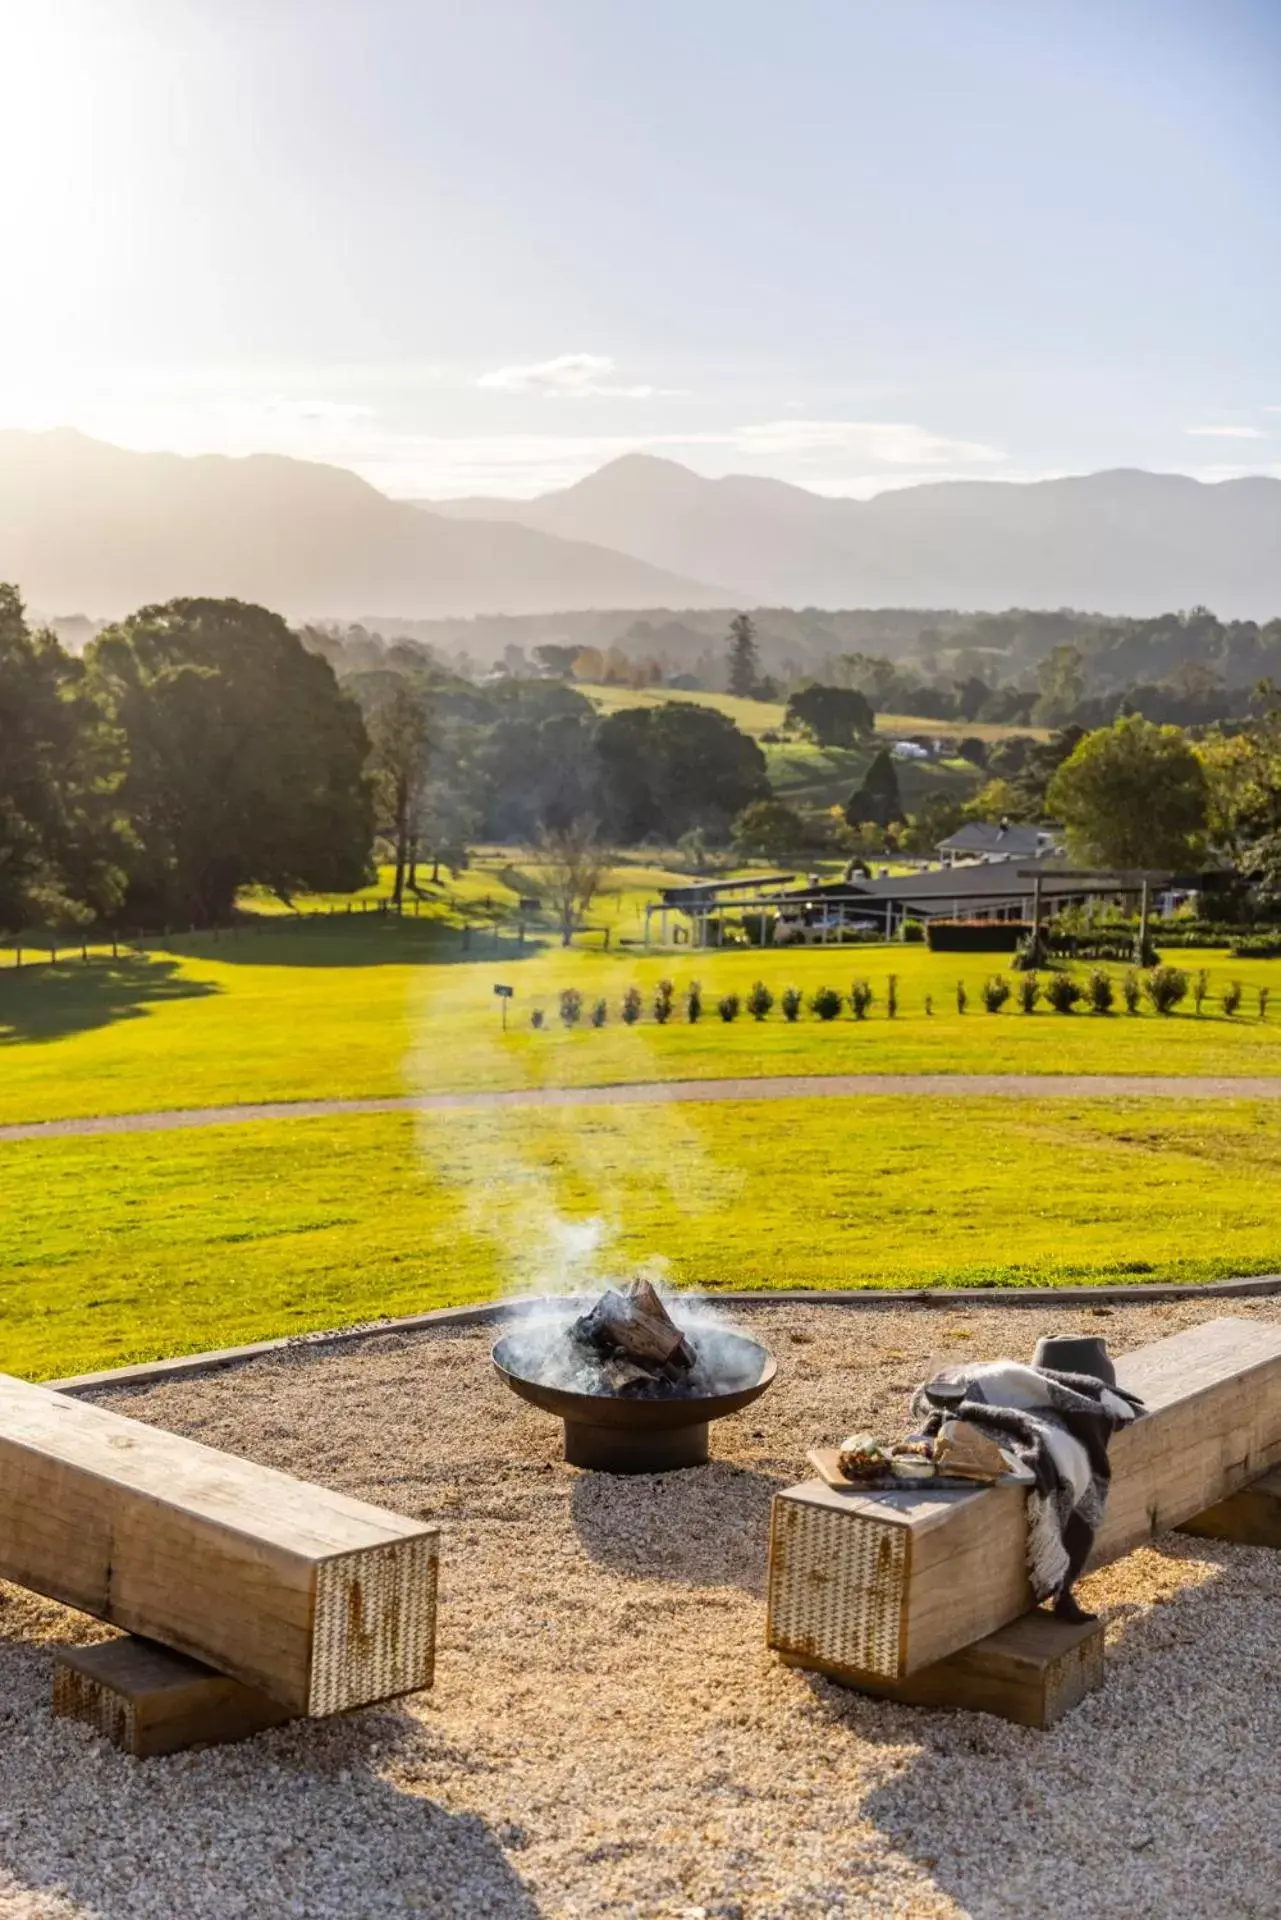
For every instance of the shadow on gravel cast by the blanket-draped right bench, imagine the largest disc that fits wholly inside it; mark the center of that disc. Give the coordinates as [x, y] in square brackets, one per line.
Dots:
[1146, 1802]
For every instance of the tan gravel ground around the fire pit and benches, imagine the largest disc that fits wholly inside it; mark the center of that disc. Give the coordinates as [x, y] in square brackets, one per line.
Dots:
[608, 1735]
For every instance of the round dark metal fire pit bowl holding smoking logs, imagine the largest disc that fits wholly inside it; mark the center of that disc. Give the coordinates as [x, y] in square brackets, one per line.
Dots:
[619, 1433]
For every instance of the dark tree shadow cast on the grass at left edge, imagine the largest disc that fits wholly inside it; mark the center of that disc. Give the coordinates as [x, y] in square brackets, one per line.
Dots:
[47, 1003]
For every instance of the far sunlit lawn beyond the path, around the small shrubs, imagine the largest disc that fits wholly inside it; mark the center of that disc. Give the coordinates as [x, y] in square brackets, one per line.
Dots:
[381, 1007]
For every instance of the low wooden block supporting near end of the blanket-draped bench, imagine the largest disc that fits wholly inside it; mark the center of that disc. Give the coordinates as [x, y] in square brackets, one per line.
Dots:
[1032, 1671]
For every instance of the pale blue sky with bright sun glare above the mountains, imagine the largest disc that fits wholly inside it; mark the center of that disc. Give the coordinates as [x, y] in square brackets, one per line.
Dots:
[483, 247]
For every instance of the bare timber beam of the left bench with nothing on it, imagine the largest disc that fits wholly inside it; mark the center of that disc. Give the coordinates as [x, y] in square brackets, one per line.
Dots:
[306, 1596]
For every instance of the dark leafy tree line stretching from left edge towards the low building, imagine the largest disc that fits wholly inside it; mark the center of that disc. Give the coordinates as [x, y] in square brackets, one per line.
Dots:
[199, 748]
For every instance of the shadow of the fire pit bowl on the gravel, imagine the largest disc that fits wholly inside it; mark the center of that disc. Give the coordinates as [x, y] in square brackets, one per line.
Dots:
[702, 1527]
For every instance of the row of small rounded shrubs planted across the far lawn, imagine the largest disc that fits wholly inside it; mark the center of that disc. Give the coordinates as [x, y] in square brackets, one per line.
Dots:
[1163, 986]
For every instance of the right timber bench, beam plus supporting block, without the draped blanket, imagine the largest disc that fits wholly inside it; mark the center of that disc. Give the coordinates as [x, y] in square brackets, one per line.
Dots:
[909, 1593]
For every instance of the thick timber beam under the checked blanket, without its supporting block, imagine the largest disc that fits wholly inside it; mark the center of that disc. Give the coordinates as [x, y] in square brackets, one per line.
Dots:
[882, 1585]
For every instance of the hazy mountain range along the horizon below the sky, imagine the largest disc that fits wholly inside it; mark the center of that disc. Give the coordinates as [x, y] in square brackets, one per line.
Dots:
[93, 529]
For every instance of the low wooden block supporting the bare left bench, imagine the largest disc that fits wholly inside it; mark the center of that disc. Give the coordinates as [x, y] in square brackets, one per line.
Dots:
[147, 1700]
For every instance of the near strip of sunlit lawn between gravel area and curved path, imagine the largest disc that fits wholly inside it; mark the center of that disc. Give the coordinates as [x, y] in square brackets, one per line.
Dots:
[135, 1247]
